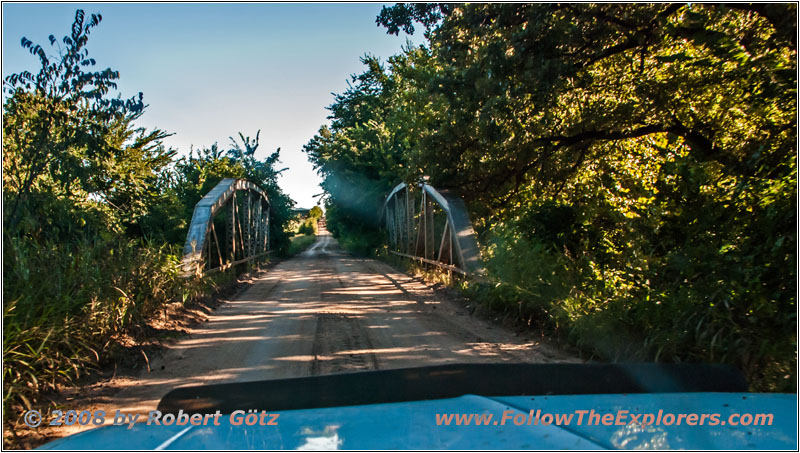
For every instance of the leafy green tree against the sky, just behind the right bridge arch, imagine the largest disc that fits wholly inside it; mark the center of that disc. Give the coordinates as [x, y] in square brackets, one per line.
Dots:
[358, 157]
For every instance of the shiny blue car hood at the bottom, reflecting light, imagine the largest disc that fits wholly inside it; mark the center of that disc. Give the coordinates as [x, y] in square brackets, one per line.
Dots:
[413, 426]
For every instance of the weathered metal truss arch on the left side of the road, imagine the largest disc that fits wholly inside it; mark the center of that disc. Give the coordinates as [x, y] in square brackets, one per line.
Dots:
[246, 228]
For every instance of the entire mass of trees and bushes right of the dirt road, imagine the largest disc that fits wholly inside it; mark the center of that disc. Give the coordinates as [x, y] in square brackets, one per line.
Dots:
[630, 168]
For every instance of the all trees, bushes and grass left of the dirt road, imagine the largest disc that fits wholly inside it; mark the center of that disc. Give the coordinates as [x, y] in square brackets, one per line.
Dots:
[95, 216]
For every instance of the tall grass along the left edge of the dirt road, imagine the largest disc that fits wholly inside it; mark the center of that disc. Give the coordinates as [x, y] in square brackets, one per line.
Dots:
[65, 307]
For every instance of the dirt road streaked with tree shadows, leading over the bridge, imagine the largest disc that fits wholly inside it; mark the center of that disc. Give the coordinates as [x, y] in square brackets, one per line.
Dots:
[325, 312]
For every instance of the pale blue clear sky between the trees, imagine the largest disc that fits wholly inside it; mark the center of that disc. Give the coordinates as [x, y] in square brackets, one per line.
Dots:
[209, 71]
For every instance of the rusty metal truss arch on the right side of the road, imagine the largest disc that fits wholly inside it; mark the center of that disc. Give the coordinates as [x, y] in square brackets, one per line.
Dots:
[442, 219]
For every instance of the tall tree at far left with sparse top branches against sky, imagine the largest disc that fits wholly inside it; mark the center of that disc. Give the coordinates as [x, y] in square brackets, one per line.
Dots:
[66, 139]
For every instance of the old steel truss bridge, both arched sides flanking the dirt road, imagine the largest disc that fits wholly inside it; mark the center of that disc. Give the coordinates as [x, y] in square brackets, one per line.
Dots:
[230, 226]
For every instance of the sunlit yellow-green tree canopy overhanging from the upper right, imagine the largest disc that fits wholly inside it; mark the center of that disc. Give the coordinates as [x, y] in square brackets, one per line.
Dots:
[535, 87]
